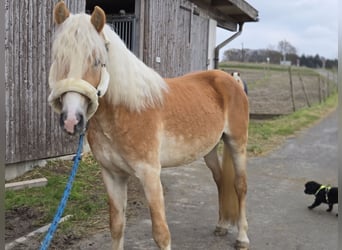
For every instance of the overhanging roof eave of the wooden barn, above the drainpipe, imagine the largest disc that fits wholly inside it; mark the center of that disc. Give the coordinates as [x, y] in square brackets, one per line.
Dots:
[228, 13]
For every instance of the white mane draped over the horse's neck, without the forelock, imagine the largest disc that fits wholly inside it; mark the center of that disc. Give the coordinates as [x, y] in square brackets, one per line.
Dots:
[132, 83]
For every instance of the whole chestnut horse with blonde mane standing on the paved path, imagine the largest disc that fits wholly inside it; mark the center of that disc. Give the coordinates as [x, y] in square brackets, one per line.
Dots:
[139, 122]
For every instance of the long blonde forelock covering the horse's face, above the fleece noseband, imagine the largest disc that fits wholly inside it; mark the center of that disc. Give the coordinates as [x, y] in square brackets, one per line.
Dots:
[75, 48]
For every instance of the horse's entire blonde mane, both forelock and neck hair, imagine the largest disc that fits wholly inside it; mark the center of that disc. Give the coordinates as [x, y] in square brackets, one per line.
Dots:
[77, 45]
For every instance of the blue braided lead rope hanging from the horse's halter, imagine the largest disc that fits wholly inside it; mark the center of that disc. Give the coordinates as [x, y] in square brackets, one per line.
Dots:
[62, 204]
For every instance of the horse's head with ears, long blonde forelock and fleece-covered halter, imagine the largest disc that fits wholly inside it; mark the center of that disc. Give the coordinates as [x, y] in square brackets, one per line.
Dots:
[78, 74]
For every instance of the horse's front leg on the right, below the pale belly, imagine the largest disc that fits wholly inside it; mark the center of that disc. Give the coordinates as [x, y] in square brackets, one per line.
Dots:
[150, 179]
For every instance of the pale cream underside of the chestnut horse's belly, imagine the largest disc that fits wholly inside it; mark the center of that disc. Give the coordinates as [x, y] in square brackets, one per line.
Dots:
[178, 150]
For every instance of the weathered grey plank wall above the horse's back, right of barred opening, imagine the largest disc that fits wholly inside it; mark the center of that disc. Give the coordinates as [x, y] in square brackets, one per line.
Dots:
[181, 43]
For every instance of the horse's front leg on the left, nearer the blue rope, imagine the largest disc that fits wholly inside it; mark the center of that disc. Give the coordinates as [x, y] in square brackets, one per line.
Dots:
[116, 186]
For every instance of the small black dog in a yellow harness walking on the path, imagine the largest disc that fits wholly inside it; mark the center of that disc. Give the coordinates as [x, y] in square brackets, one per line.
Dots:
[323, 194]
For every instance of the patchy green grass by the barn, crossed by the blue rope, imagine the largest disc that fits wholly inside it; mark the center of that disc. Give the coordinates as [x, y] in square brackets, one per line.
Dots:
[87, 201]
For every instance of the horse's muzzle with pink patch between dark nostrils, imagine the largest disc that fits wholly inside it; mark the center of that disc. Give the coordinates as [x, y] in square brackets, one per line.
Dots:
[73, 125]
